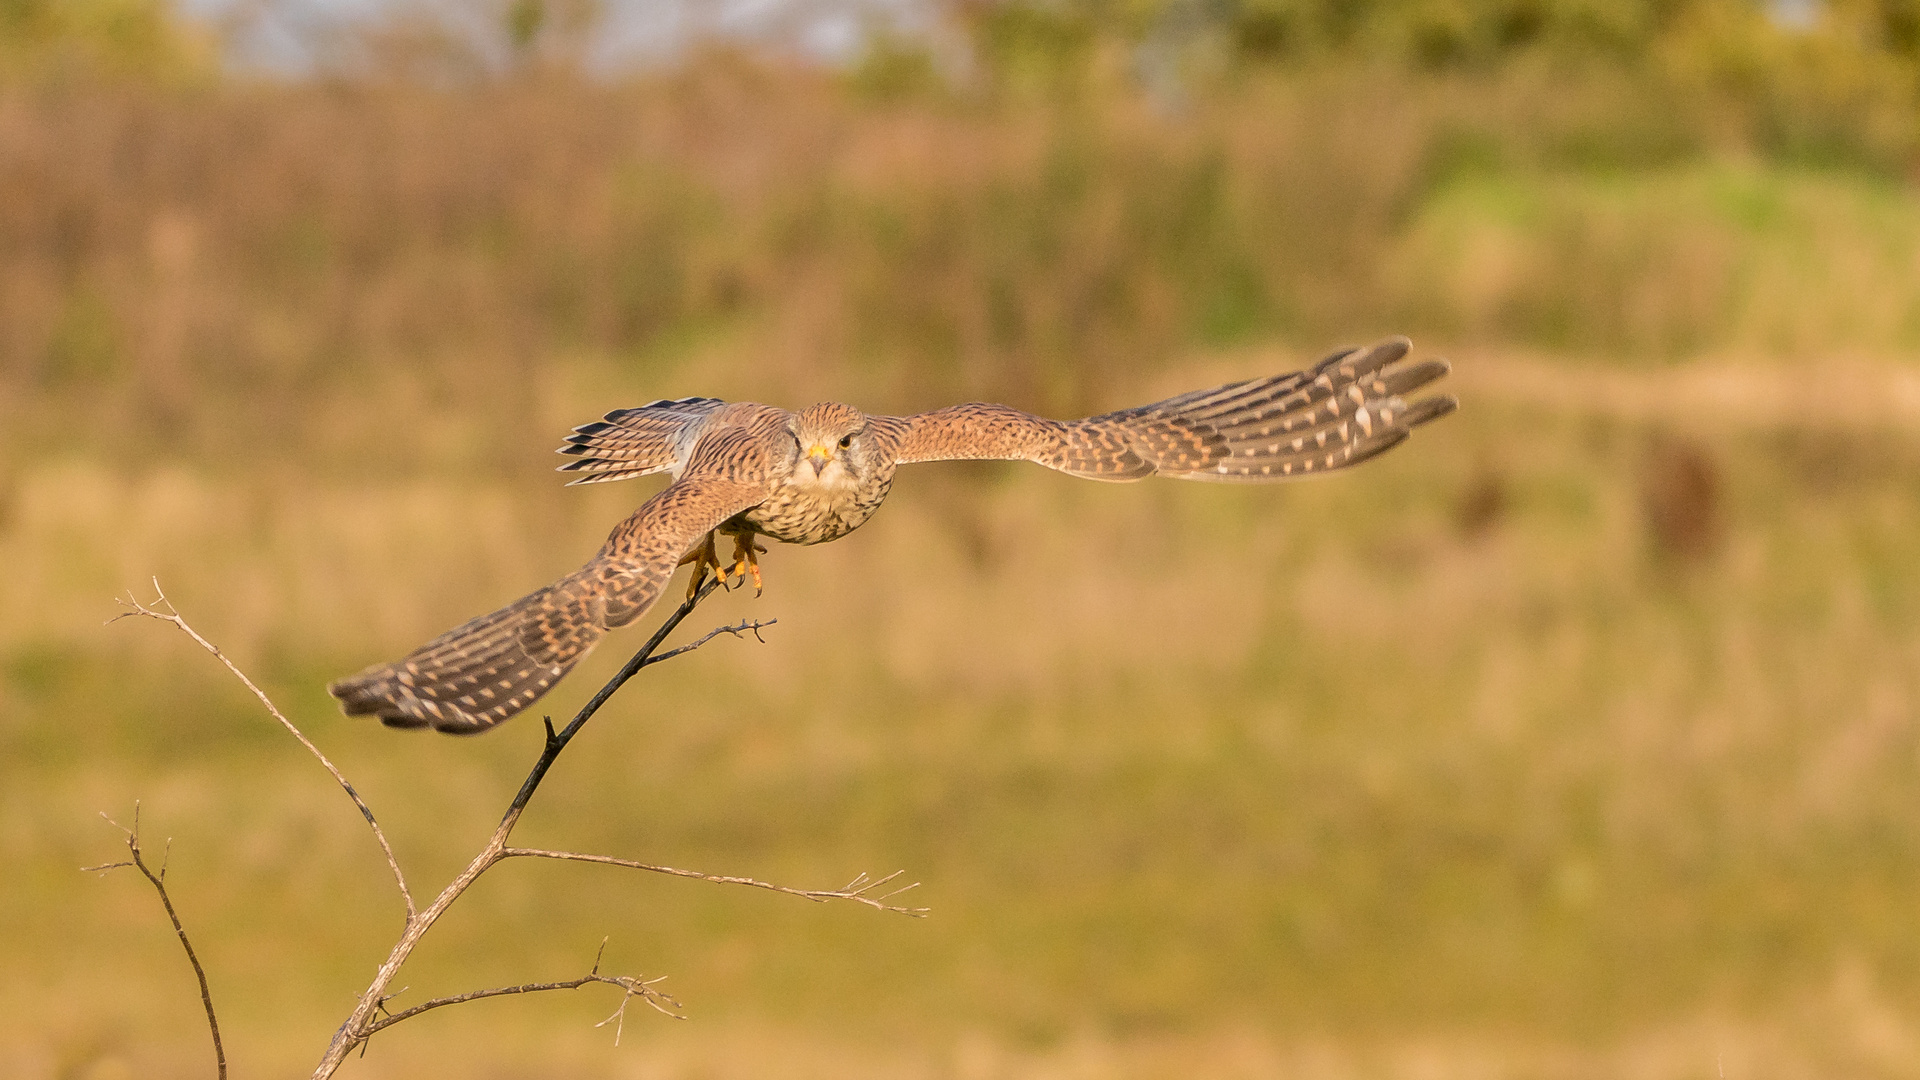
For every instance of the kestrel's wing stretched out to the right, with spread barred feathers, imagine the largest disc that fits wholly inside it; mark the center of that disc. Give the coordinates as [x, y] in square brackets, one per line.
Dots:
[1339, 412]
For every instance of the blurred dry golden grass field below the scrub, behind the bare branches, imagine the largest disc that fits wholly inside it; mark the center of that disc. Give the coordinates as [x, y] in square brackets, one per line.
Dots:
[1186, 770]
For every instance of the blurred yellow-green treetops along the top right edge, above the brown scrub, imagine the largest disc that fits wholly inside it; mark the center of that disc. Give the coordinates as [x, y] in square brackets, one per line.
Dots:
[1827, 82]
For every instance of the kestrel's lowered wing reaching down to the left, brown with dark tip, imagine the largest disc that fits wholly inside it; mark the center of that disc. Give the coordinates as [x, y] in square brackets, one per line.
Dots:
[489, 670]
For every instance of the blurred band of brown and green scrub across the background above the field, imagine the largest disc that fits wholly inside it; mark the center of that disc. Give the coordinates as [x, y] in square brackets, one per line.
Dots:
[1036, 222]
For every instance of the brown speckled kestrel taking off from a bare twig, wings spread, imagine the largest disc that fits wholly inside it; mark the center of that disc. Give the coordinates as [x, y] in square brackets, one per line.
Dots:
[815, 476]
